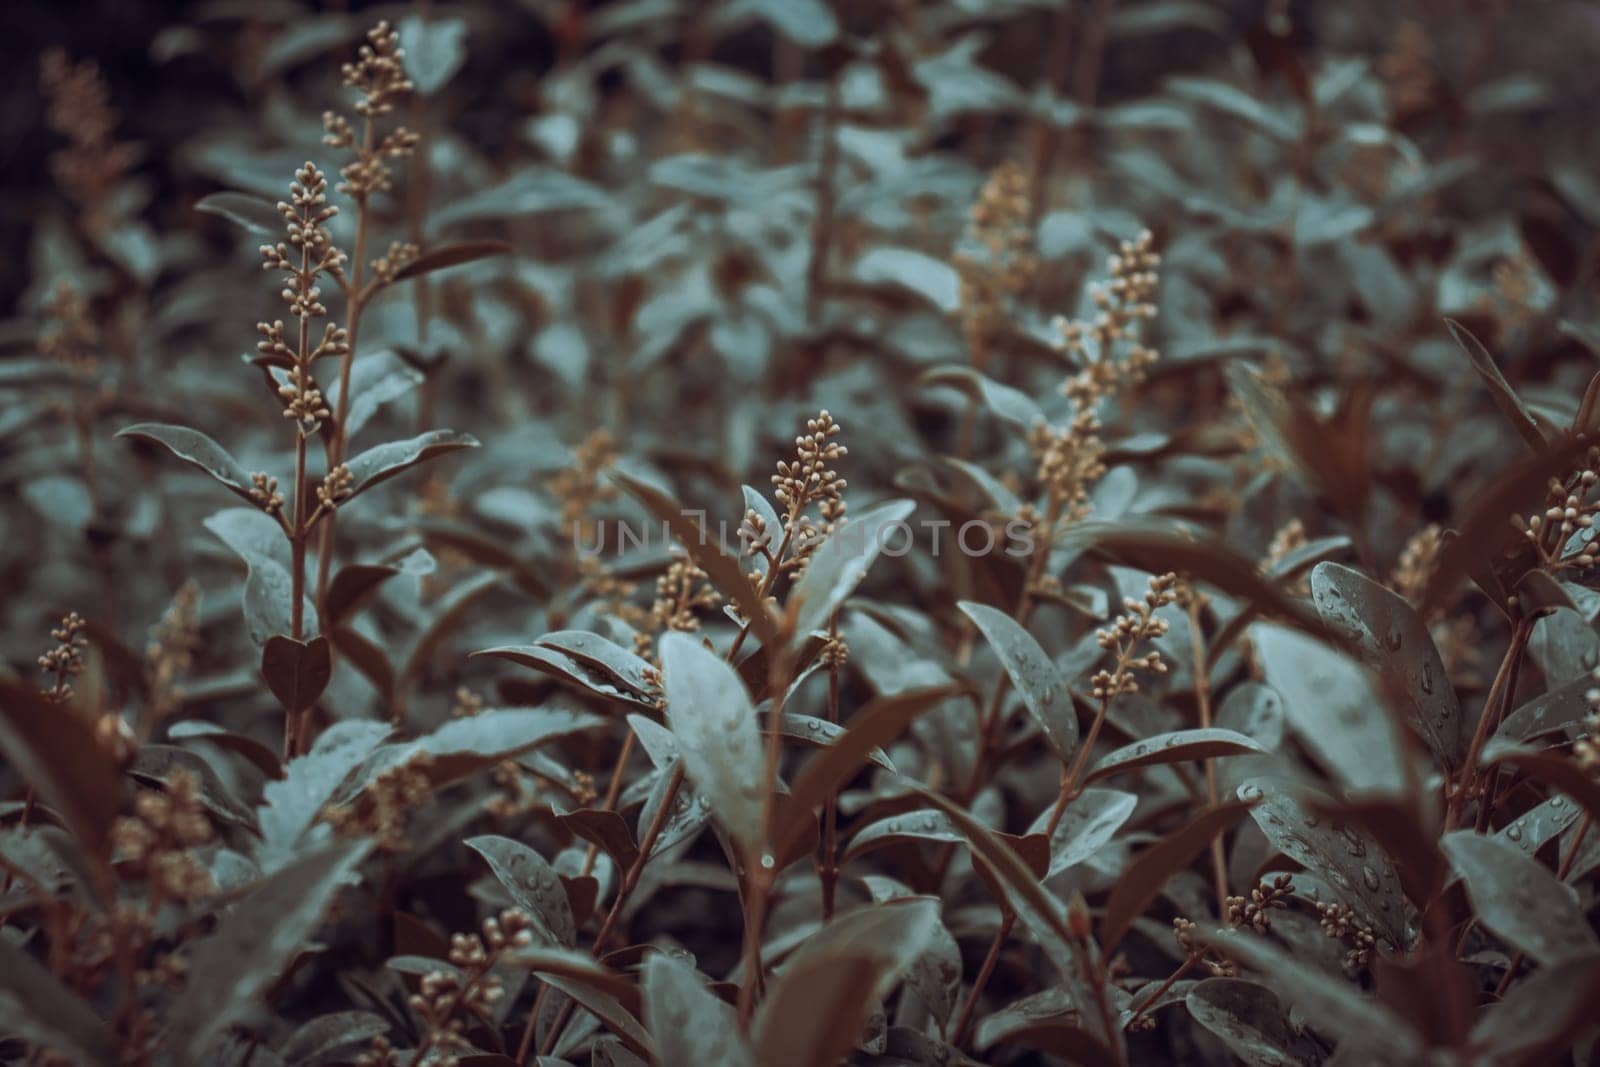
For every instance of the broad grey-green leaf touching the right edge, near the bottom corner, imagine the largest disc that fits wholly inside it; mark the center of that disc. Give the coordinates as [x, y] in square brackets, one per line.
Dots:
[1519, 900]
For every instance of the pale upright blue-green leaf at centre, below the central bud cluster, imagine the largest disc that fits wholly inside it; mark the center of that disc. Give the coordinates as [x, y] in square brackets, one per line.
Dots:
[714, 724]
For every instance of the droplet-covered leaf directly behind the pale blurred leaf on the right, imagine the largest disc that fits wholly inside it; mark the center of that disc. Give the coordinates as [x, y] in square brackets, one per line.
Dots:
[1394, 642]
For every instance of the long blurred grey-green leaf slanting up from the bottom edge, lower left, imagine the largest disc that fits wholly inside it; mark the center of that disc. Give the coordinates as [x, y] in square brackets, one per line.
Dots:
[254, 945]
